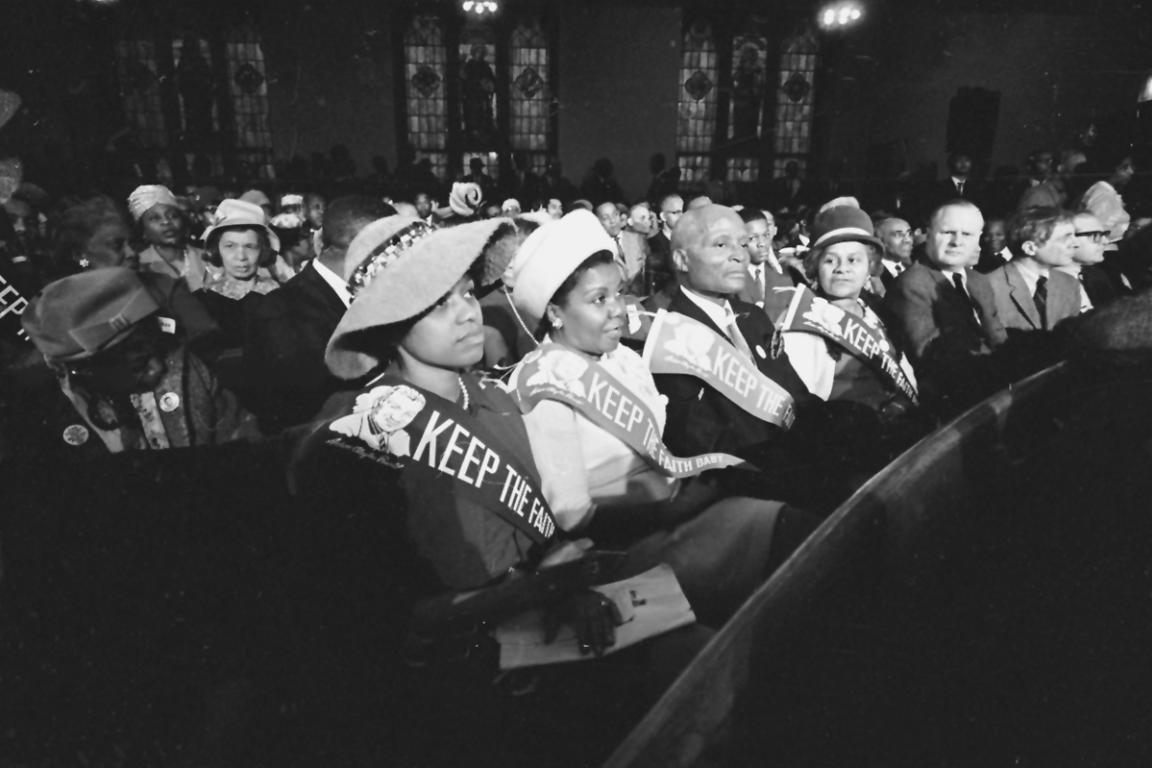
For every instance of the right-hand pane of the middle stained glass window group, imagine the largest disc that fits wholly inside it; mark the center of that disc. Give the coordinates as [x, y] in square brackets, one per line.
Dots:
[530, 95]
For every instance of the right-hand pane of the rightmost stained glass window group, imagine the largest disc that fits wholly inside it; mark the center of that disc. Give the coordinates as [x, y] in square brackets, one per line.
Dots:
[795, 86]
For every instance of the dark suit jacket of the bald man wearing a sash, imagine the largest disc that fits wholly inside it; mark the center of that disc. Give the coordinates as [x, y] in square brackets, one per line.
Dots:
[702, 420]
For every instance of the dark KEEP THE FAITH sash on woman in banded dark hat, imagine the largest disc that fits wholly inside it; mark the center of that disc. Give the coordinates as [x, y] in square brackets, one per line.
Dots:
[863, 338]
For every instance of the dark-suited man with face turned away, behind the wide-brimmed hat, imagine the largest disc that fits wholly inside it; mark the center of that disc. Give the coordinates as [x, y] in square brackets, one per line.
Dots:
[287, 333]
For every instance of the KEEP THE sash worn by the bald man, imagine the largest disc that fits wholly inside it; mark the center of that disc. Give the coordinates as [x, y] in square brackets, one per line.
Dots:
[677, 344]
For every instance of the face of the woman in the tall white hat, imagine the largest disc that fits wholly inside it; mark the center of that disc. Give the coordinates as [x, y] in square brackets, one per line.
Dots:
[593, 316]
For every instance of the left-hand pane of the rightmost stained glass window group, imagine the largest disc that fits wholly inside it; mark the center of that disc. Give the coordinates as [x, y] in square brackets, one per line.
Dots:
[698, 120]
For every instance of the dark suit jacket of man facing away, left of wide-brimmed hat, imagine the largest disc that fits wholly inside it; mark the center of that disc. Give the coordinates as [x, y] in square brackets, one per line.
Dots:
[285, 339]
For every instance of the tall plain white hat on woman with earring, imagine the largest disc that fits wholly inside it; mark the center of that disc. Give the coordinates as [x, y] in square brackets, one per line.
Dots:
[550, 255]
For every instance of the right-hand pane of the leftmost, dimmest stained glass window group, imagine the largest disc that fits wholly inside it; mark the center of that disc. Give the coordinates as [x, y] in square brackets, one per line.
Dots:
[249, 90]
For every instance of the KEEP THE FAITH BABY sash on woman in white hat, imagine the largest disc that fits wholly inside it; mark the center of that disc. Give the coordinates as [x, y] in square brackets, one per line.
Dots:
[554, 372]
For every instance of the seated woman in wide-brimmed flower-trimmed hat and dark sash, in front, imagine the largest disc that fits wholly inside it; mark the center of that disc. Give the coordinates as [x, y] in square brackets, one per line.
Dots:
[428, 498]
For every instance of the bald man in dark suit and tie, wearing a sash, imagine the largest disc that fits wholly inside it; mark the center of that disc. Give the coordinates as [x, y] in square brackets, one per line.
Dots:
[710, 255]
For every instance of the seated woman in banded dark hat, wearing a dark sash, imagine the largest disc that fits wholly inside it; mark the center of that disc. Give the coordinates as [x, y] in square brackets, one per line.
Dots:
[842, 348]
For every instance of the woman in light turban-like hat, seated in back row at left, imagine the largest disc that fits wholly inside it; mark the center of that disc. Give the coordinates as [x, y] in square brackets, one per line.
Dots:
[163, 227]
